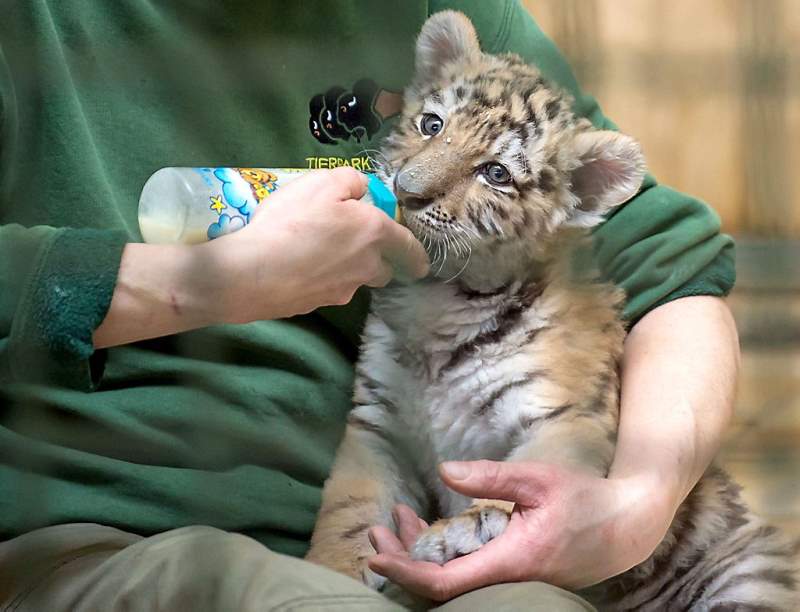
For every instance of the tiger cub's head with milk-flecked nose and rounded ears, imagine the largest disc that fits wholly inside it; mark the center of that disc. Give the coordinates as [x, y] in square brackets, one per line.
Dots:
[489, 163]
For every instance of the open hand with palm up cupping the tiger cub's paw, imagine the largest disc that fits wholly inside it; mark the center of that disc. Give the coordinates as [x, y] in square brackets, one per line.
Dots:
[567, 528]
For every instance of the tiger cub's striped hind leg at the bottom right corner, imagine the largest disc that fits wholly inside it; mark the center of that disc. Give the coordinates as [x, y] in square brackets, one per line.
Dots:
[716, 555]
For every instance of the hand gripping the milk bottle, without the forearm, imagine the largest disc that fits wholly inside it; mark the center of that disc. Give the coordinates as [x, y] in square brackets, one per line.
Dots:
[312, 245]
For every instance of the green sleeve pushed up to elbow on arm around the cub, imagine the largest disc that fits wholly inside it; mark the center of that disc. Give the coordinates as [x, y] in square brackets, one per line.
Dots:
[660, 245]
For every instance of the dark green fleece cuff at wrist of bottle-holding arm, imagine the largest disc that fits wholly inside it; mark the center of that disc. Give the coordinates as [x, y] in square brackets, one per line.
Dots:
[66, 298]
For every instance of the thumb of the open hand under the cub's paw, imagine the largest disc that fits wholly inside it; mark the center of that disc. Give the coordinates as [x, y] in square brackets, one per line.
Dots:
[517, 482]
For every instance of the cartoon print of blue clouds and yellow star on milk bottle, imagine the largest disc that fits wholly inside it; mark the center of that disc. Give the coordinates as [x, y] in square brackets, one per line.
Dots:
[236, 192]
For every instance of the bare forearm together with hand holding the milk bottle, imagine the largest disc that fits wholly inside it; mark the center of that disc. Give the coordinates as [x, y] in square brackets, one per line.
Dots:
[313, 246]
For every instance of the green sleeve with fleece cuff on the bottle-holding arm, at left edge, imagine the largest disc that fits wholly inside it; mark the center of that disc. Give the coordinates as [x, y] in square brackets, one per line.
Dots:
[55, 284]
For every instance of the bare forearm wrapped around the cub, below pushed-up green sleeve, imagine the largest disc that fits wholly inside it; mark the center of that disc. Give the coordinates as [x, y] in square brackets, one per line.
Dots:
[678, 382]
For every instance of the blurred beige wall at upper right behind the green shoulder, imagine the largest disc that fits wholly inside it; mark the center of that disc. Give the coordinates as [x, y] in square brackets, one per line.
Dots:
[710, 88]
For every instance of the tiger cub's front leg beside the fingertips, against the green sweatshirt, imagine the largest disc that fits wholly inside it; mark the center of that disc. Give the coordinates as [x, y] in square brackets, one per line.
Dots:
[365, 484]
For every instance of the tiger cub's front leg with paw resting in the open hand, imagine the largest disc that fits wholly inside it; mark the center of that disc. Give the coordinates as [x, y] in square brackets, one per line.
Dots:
[581, 440]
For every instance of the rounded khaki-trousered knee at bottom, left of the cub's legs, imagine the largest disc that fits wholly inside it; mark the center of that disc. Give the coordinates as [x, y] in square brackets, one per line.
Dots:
[202, 568]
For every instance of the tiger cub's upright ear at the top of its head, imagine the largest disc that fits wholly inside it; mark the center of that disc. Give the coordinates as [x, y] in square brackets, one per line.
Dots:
[446, 37]
